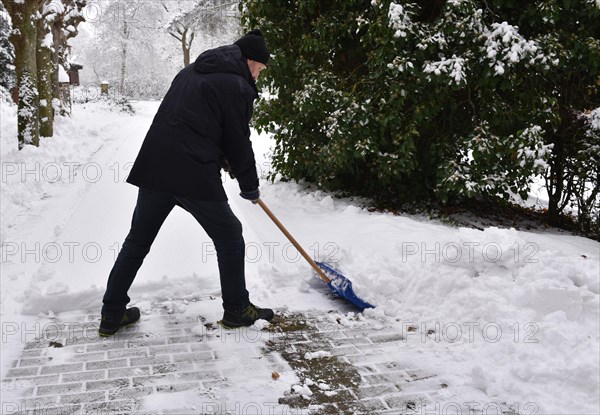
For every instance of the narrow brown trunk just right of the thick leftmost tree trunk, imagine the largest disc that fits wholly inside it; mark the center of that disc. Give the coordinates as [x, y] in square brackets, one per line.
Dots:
[45, 72]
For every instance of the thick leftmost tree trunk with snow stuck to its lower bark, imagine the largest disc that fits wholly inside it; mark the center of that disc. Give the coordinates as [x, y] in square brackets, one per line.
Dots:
[24, 39]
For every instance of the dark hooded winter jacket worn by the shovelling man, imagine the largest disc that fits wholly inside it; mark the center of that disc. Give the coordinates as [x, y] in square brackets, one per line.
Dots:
[202, 121]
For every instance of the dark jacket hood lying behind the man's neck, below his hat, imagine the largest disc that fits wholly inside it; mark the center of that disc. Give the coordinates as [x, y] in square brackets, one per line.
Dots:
[225, 59]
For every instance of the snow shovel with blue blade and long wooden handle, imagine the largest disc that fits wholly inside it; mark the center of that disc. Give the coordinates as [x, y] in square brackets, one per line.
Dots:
[337, 283]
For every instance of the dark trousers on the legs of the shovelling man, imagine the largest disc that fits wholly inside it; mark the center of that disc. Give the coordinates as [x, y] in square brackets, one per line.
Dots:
[152, 208]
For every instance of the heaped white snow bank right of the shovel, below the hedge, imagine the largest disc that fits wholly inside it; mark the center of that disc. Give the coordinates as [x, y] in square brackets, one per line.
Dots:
[511, 313]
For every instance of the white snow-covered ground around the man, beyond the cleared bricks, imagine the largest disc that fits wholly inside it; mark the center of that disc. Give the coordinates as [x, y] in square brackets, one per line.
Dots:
[510, 314]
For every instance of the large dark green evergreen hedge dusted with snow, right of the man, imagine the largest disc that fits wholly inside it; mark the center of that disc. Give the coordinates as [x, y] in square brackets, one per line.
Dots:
[432, 99]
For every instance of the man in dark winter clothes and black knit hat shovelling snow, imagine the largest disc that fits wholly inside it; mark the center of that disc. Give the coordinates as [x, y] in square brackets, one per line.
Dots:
[200, 127]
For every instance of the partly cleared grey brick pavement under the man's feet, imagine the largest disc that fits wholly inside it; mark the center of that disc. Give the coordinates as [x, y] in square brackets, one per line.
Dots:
[341, 369]
